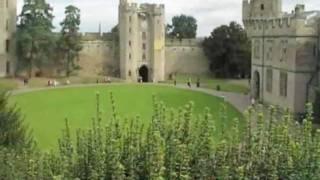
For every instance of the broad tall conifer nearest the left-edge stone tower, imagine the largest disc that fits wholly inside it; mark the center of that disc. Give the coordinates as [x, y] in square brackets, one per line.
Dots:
[35, 40]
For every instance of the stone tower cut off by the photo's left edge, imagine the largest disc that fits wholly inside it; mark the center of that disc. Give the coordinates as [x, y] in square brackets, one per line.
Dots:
[8, 12]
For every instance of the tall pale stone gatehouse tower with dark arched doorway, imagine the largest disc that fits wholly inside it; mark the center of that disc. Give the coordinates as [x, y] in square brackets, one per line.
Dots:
[142, 41]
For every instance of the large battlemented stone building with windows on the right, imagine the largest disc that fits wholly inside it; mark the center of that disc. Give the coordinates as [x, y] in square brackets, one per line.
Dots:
[285, 53]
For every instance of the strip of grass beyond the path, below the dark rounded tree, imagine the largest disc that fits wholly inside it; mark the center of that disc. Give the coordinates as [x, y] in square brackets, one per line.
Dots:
[227, 85]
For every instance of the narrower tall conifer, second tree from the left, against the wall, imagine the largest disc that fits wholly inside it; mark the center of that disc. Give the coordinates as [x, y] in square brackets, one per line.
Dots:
[70, 42]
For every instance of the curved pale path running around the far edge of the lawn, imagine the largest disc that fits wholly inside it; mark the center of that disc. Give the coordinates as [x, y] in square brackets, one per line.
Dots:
[239, 101]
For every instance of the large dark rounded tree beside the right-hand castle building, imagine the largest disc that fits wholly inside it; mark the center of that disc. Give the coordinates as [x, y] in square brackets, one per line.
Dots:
[229, 51]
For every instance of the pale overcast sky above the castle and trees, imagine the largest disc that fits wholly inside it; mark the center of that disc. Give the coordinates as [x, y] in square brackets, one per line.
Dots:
[209, 13]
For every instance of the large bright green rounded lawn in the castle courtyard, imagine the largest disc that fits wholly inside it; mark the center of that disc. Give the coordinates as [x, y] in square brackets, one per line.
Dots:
[45, 111]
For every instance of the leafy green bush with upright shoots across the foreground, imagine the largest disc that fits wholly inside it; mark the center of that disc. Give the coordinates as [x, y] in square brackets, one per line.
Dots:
[177, 145]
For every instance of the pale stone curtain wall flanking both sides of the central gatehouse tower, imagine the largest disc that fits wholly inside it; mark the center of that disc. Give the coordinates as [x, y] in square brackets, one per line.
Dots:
[98, 56]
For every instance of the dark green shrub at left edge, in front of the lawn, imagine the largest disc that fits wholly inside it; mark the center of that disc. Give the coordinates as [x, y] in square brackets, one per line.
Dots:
[13, 132]
